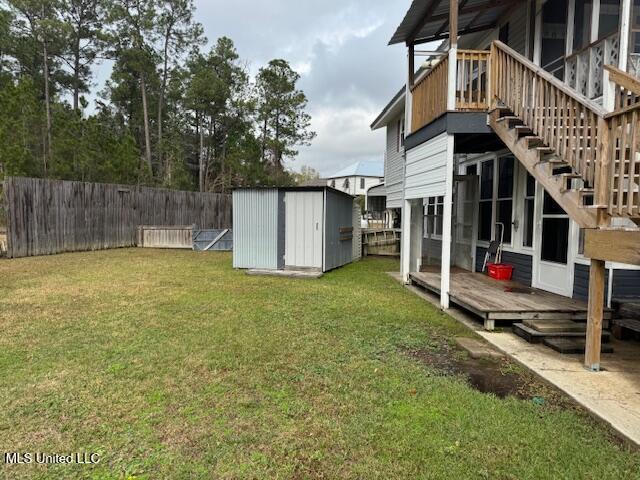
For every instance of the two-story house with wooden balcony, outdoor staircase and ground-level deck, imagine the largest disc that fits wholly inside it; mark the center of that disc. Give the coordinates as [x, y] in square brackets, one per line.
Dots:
[524, 127]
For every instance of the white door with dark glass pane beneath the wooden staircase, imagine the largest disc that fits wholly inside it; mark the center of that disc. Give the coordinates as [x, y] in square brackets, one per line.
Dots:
[554, 253]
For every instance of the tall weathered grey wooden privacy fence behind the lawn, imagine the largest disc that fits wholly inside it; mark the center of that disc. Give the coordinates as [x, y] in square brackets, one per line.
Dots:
[53, 216]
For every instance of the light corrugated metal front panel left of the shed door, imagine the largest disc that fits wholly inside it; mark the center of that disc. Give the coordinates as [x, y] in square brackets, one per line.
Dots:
[255, 228]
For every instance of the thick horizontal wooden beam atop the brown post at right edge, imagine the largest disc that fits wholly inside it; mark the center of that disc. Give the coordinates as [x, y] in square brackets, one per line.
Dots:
[613, 245]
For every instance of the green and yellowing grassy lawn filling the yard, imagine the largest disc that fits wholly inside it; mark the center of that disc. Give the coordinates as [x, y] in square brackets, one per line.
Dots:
[172, 365]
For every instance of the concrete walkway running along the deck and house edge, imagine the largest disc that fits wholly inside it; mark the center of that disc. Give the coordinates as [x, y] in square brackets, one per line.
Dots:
[613, 395]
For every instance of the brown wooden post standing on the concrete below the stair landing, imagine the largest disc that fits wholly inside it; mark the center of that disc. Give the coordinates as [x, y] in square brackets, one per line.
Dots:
[596, 312]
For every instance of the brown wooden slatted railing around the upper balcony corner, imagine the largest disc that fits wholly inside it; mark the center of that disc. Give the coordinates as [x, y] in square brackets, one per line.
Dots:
[430, 92]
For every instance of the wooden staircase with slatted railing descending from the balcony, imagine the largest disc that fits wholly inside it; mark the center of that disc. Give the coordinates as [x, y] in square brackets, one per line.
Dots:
[586, 159]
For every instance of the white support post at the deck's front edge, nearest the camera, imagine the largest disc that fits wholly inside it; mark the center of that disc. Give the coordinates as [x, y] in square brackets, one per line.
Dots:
[445, 267]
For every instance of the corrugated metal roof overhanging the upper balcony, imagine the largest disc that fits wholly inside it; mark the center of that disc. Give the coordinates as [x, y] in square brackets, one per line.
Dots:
[426, 21]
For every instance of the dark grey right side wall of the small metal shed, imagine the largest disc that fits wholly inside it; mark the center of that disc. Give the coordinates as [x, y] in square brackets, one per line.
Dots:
[339, 214]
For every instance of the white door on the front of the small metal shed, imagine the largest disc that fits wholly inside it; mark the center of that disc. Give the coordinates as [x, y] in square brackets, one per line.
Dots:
[303, 229]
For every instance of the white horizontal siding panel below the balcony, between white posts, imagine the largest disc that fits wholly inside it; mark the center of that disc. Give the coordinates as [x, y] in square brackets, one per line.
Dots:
[426, 169]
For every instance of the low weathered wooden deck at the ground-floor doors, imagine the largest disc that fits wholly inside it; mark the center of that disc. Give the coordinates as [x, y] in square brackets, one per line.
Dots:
[502, 300]
